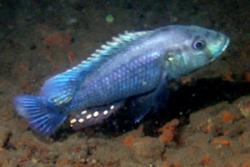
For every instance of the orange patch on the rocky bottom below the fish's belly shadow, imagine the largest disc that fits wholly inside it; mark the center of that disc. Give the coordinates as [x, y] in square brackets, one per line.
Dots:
[168, 131]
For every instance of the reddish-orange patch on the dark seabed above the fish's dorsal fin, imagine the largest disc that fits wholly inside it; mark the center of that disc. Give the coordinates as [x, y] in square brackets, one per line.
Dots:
[58, 39]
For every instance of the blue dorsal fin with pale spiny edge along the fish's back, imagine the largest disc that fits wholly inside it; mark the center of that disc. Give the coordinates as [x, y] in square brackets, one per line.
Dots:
[60, 88]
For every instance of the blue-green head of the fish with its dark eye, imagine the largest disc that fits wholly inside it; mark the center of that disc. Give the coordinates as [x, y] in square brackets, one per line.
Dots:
[193, 47]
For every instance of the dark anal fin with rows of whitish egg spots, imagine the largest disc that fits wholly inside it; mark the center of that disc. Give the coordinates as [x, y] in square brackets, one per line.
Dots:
[92, 116]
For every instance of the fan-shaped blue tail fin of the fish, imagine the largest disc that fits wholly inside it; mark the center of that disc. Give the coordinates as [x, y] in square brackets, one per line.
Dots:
[43, 117]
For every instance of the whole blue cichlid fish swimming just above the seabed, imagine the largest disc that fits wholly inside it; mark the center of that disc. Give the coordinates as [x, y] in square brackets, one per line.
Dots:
[137, 65]
